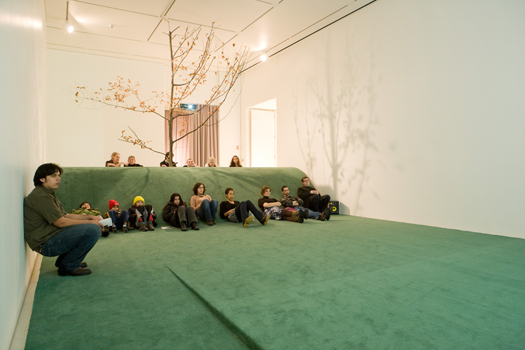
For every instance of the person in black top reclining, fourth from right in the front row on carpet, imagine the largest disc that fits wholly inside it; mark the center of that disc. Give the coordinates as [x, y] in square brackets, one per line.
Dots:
[234, 211]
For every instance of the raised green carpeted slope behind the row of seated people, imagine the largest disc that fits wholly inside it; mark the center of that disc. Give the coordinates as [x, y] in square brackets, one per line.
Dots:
[98, 185]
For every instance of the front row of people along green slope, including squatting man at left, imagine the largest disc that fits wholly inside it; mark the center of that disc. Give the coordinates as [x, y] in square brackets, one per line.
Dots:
[50, 231]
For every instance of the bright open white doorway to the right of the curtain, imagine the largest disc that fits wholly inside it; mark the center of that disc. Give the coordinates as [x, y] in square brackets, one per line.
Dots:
[263, 141]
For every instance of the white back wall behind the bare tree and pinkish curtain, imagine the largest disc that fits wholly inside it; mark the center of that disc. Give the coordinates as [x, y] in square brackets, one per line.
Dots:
[87, 134]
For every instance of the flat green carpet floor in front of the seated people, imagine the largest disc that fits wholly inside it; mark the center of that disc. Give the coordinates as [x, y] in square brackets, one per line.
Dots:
[350, 283]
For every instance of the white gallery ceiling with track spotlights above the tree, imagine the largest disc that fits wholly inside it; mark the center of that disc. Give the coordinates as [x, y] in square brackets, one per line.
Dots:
[135, 29]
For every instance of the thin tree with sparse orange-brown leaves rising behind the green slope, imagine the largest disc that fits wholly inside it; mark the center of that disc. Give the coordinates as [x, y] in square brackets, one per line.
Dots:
[187, 74]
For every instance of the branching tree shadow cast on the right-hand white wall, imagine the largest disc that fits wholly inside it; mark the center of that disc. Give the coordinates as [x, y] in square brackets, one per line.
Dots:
[338, 120]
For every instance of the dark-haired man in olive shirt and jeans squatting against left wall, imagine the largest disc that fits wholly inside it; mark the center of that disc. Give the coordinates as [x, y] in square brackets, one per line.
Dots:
[50, 231]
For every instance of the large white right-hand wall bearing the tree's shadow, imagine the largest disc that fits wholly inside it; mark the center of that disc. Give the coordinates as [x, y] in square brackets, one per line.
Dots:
[409, 111]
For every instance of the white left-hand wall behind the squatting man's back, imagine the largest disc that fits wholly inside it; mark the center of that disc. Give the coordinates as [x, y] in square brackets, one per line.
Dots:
[22, 145]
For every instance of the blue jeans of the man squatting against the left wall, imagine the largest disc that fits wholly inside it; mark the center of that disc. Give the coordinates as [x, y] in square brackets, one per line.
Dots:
[71, 244]
